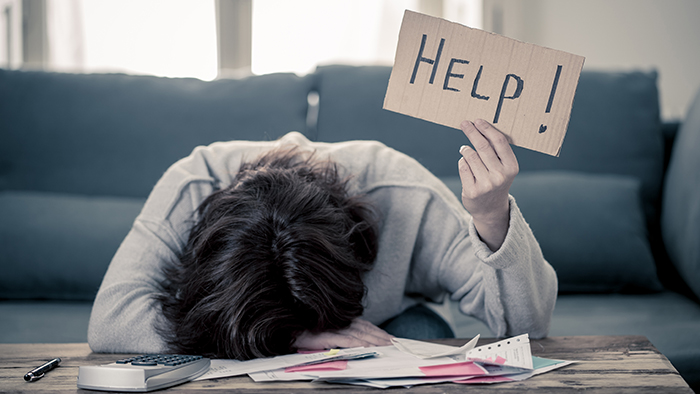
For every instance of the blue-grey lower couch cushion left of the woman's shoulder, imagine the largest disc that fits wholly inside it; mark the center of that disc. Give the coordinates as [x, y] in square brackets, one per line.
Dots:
[58, 246]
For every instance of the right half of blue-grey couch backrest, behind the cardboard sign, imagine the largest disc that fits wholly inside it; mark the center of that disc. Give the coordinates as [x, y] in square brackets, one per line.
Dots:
[614, 129]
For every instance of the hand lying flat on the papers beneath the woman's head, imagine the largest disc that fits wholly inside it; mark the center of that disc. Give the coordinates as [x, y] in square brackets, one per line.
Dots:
[359, 333]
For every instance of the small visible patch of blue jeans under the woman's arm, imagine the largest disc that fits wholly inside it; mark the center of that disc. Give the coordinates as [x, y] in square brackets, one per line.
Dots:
[418, 322]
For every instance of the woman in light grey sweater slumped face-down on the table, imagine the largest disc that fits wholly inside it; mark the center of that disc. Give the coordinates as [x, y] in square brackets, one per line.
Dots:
[249, 249]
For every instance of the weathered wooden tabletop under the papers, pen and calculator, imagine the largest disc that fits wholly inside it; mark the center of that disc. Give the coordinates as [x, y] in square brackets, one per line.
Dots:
[607, 364]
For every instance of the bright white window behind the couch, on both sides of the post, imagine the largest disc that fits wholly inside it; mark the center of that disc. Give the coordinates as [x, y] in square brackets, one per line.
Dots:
[178, 38]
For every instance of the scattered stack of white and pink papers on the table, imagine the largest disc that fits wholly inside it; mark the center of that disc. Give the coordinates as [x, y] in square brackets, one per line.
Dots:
[406, 363]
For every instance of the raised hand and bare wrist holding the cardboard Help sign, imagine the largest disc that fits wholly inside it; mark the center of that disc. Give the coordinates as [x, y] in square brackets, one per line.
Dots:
[486, 174]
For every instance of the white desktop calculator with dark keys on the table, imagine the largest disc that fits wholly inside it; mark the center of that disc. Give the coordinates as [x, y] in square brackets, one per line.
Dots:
[143, 373]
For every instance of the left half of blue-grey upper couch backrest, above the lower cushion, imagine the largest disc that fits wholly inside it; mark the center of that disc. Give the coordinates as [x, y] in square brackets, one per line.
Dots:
[110, 134]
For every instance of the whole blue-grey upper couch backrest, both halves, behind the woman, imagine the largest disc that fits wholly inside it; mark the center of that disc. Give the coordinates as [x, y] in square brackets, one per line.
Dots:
[115, 134]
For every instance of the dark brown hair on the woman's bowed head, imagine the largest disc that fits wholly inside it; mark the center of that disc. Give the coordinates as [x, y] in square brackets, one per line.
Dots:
[281, 251]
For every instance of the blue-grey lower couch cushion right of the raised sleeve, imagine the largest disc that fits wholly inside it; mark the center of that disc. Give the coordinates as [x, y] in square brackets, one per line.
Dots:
[591, 228]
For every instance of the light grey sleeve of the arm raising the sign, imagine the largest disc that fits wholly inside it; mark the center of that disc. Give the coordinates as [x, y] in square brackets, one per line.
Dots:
[512, 290]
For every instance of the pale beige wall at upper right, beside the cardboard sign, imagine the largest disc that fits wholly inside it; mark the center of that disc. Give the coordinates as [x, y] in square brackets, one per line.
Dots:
[614, 35]
